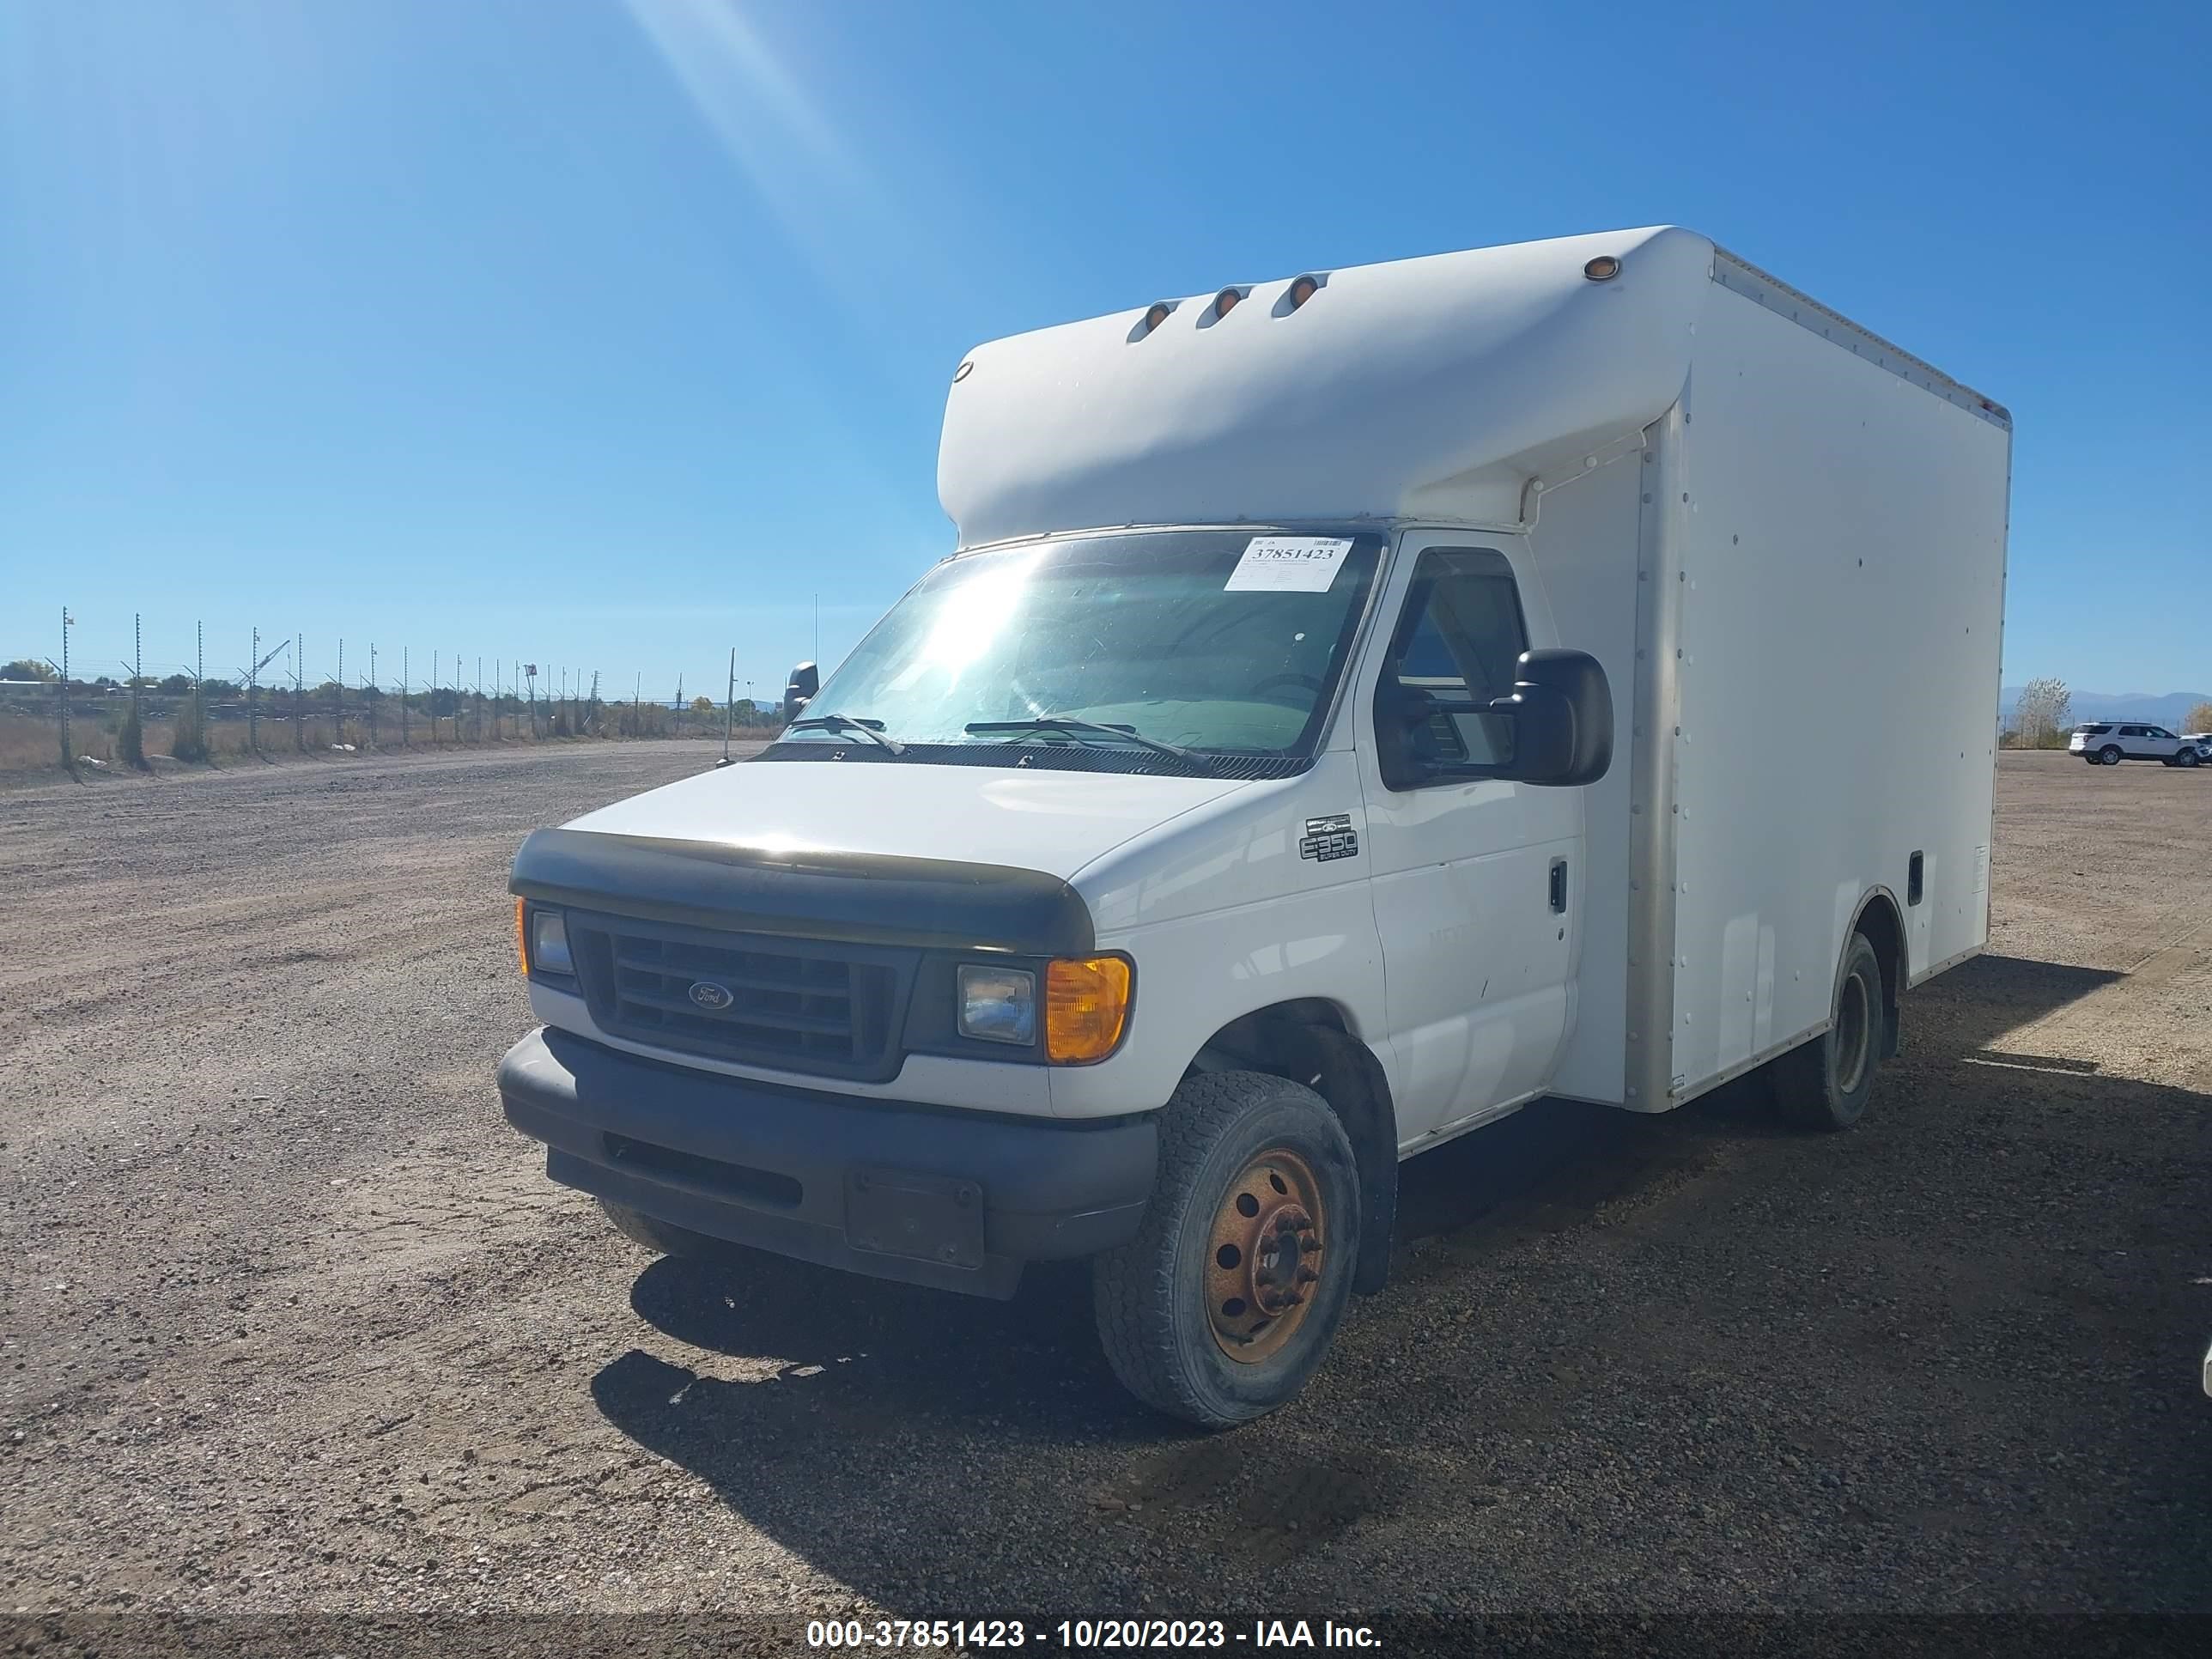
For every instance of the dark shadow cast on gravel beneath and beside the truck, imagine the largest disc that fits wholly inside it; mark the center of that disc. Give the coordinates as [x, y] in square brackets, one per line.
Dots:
[939, 1452]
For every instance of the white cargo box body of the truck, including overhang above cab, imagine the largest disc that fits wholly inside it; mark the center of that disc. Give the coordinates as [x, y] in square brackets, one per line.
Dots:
[1782, 536]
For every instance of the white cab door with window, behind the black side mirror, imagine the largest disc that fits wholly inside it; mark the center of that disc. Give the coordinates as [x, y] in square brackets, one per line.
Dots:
[1477, 879]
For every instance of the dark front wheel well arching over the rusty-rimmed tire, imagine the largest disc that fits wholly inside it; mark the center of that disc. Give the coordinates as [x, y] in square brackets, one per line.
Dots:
[1311, 1043]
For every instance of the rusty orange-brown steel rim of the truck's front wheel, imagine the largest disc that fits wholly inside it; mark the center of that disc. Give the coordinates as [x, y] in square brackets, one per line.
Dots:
[1266, 1255]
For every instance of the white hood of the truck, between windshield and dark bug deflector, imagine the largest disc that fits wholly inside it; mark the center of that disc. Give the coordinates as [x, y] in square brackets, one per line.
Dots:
[1045, 822]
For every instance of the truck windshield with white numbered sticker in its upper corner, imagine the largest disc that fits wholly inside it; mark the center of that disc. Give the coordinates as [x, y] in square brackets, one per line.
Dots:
[1222, 643]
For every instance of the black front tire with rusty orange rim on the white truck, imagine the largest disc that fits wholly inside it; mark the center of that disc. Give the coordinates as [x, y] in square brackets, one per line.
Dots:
[1154, 1297]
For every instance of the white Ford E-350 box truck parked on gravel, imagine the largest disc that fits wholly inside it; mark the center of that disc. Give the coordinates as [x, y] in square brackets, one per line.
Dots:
[1357, 707]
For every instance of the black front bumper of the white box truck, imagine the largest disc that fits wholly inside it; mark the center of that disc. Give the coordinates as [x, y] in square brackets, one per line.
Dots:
[895, 1191]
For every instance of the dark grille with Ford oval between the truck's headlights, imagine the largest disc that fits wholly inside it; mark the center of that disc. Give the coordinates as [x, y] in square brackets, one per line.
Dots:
[797, 1005]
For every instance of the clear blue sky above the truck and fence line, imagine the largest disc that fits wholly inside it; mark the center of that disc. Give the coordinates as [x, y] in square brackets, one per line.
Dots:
[609, 333]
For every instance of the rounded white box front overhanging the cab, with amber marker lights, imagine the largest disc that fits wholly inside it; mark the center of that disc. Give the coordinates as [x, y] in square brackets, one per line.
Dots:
[1423, 388]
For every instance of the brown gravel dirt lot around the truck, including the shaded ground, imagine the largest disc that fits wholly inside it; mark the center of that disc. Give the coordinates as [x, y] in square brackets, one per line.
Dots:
[295, 1324]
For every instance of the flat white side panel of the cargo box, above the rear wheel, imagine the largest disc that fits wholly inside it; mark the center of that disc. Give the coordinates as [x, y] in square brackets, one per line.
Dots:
[1839, 552]
